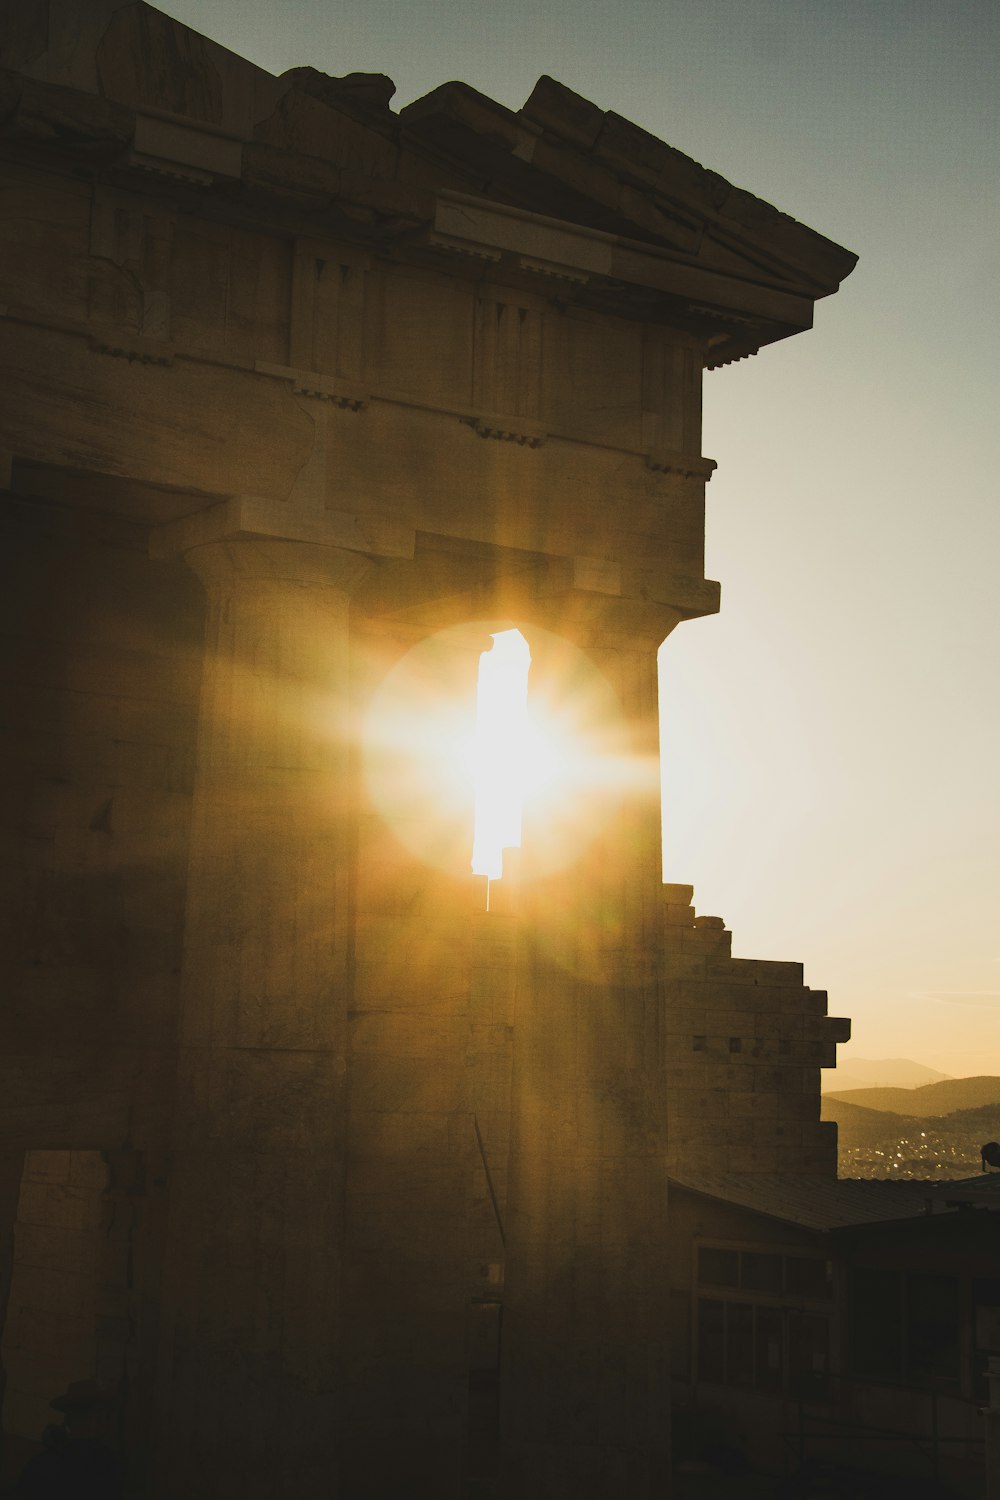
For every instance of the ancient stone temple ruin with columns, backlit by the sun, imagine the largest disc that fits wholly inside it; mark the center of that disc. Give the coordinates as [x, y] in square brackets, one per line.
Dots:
[340, 1183]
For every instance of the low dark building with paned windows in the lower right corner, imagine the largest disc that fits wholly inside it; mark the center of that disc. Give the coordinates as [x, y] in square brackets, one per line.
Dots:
[839, 1328]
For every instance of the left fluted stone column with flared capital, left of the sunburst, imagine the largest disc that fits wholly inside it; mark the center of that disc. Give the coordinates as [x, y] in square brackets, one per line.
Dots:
[251, 1342]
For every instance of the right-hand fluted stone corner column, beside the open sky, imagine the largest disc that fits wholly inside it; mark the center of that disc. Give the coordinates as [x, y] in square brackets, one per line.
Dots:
[585, 1313]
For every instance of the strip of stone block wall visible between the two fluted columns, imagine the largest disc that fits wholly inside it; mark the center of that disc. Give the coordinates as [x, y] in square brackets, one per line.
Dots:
[410, 1276]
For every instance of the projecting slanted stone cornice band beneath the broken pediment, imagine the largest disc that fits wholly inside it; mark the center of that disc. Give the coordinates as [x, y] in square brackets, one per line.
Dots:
[208, 166]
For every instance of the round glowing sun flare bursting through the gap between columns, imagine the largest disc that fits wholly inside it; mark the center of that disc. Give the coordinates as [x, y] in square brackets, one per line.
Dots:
[463, 763]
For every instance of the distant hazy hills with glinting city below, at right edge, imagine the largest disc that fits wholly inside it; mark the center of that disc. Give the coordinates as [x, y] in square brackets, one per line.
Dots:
[930, 1130]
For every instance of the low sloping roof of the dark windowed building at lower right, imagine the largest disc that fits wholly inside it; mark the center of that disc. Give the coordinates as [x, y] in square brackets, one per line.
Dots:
[824, 1204]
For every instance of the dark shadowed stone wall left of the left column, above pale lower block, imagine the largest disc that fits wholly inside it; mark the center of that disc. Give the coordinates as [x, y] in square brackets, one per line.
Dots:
[101, 659]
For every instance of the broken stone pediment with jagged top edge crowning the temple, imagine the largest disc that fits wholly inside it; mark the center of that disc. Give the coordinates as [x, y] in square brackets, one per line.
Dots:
[558, 190]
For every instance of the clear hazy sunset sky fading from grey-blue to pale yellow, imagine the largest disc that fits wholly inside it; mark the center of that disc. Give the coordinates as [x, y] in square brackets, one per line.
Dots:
[831, 740]
